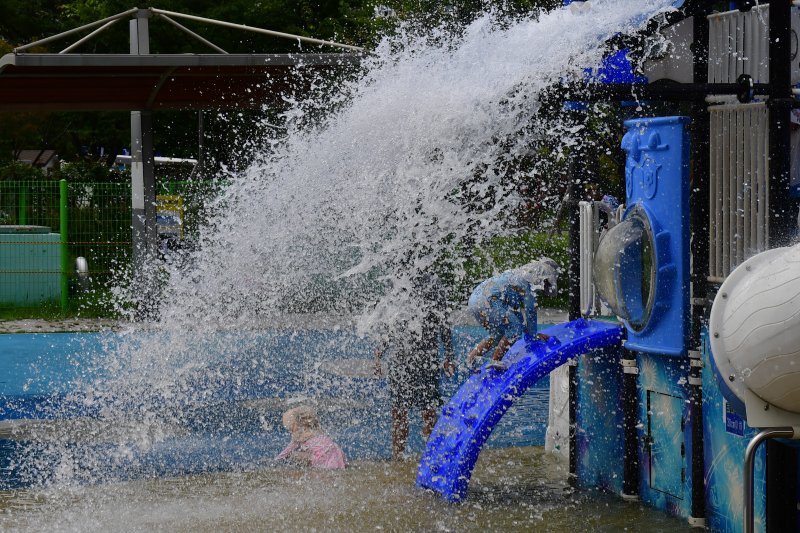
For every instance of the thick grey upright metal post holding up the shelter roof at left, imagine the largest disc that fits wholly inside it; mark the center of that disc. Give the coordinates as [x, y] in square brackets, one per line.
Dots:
[143, 188]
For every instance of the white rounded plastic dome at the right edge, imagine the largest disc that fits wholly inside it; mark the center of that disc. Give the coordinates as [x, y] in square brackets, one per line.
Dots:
[755, 329]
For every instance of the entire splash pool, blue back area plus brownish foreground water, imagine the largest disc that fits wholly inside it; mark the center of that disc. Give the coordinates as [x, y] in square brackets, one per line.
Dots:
[67, 465]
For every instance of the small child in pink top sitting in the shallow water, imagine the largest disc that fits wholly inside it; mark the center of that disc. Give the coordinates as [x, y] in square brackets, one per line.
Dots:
[309, 446]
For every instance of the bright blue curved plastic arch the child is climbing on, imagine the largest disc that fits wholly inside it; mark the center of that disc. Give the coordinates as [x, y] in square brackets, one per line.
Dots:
[472, 413]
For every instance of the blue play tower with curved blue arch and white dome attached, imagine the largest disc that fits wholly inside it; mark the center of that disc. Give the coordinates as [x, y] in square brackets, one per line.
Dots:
[703, 414]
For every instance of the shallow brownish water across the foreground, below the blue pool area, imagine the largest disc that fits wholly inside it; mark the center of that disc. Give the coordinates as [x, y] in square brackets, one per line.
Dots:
[515, 489]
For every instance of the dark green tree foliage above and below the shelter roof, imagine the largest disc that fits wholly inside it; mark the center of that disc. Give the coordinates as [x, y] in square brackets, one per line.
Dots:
[84, 136]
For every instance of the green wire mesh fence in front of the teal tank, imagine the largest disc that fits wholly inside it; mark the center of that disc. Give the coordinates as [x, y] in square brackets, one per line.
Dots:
[46, 225]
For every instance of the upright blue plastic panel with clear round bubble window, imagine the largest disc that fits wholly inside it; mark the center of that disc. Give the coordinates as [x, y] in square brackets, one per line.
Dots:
[657, 199]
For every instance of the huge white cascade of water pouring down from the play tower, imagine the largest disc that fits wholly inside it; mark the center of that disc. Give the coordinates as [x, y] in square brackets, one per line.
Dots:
[414, 162]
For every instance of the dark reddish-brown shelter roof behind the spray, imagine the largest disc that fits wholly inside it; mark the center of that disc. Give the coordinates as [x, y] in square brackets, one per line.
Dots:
[123, 82]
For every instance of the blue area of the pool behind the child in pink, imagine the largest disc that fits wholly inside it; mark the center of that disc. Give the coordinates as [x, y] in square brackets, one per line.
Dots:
[60, 422]
